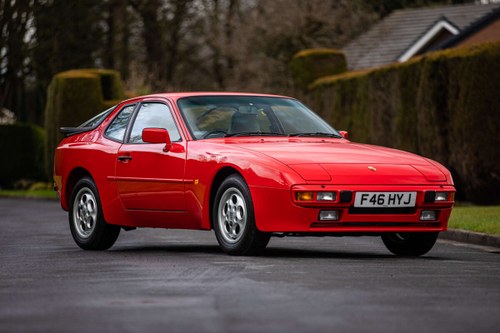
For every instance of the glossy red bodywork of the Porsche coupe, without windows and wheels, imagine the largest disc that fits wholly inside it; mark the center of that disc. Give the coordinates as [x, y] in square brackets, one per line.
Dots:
[145, 186]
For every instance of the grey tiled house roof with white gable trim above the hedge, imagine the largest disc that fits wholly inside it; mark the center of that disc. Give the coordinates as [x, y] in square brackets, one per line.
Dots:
[393, 37]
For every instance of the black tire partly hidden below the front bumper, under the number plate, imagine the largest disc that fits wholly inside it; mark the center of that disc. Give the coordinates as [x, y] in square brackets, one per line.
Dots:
[410, 244]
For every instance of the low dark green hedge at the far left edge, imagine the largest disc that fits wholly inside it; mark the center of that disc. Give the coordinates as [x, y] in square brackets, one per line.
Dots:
[22, 152]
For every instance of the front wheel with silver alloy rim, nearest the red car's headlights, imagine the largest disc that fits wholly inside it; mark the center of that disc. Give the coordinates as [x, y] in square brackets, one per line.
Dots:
[234, 220]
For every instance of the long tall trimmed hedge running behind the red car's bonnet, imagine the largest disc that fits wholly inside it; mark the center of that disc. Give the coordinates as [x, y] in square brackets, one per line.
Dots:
[445, 105]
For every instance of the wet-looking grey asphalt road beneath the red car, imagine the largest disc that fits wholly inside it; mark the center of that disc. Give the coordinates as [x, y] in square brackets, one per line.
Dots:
[179, 281]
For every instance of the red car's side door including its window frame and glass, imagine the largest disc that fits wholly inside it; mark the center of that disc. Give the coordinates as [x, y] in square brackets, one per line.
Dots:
[148, 178]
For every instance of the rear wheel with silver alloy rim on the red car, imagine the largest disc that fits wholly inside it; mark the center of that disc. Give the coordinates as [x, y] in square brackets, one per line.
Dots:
[86, 220]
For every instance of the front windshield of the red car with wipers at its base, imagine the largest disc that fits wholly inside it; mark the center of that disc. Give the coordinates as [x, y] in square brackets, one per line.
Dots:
[223, 116]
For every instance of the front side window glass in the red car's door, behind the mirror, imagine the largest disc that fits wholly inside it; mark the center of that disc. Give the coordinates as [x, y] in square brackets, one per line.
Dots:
[156, 115]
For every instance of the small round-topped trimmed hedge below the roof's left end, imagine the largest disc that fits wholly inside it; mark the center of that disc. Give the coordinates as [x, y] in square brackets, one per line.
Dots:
[311, 64]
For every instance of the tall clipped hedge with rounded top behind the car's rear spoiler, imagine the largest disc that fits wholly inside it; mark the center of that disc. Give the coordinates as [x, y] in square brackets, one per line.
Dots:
[75, 96]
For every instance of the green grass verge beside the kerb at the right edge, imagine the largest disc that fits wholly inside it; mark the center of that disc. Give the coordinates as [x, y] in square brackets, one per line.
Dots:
[484, 219]
